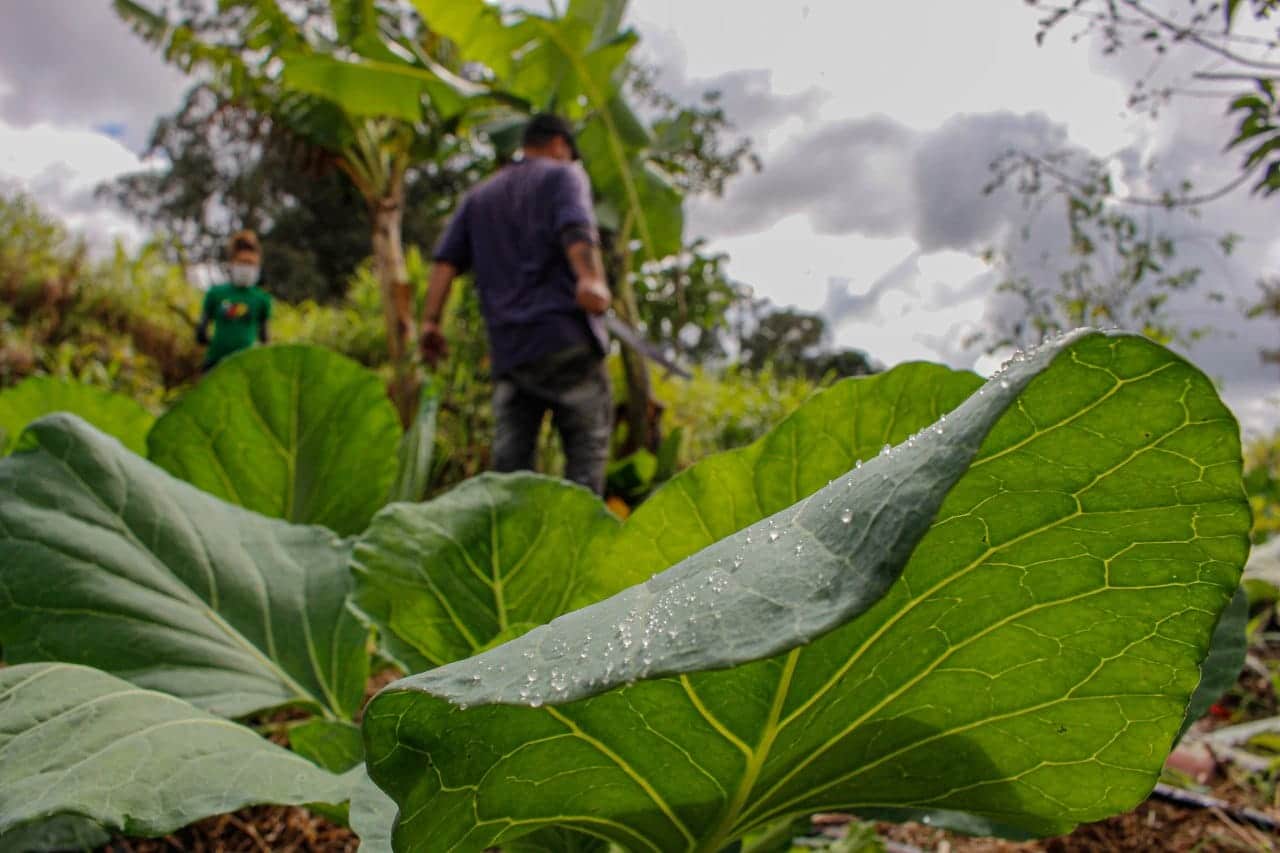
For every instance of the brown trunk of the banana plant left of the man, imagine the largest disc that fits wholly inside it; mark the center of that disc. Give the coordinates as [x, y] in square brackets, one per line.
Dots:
[387, 215]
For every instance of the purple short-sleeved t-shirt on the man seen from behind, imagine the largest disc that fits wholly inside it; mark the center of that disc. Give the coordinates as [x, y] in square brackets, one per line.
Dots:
[508, 231]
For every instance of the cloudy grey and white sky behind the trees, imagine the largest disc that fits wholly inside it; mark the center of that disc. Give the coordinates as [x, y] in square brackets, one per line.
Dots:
[876, 130]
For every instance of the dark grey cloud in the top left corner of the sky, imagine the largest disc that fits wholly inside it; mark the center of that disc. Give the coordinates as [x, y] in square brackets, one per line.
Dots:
[74, 63]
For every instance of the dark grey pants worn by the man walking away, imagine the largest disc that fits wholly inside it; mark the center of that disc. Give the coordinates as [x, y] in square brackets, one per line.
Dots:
[574, 386]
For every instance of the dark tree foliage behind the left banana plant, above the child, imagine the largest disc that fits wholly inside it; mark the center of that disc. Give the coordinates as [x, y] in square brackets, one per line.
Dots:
[313, 222]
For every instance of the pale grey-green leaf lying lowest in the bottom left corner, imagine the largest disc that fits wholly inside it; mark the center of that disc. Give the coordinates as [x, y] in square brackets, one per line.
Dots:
[81, 745]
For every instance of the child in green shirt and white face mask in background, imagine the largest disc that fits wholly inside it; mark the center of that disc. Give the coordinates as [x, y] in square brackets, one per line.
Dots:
[239, 311]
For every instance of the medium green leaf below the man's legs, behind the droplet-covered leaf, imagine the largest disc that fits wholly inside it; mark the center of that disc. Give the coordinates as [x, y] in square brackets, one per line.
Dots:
[492, 559]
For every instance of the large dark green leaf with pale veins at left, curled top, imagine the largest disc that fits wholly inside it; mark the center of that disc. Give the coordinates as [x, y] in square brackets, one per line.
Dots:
[108, 562]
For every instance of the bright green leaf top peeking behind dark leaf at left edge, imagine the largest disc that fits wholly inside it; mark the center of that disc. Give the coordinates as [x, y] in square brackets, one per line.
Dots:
[115, 414]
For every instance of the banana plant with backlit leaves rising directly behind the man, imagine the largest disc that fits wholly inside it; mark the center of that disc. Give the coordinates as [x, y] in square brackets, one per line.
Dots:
[574, 65]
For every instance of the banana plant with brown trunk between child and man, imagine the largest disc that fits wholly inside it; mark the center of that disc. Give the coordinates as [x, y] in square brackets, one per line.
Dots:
[344, 94]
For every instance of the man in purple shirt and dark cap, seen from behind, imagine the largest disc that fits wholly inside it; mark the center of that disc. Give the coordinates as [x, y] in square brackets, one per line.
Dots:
[529, 236]
